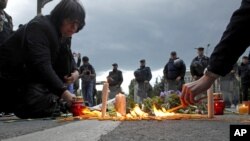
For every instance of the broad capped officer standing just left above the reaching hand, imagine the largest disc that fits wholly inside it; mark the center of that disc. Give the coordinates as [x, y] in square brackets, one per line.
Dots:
[174, 72]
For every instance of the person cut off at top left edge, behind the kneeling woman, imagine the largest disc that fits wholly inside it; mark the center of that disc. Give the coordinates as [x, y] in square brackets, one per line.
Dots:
[6, 25]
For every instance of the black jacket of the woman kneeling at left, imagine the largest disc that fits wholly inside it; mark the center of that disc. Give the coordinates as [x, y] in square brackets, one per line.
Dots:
[40, 54]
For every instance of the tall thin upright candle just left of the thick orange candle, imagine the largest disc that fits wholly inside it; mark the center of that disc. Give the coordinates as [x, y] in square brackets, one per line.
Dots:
[105, 92]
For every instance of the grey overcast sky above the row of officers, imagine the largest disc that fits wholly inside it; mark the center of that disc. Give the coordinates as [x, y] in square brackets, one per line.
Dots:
[125, 31]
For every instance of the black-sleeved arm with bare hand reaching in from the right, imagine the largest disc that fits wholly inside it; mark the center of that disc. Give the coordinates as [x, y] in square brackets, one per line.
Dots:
[233, 43]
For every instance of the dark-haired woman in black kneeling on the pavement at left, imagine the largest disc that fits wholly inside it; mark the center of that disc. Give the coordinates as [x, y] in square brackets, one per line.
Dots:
[36, 63]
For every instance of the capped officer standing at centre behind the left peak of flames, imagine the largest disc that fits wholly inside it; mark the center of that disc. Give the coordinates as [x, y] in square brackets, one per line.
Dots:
[142, 76]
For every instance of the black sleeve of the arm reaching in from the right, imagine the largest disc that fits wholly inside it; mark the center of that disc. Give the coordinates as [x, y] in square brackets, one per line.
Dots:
[233, 43]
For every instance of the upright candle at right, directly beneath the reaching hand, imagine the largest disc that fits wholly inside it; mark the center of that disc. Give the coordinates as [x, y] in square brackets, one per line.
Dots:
[210, 103]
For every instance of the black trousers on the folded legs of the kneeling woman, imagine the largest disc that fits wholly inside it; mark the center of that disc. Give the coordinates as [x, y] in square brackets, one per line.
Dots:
[27, 100]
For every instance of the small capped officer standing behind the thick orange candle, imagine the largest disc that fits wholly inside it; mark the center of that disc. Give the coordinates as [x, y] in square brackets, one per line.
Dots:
[115, 80]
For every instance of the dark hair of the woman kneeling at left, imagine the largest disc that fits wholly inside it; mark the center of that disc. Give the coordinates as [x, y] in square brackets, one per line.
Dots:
[68, 9]
